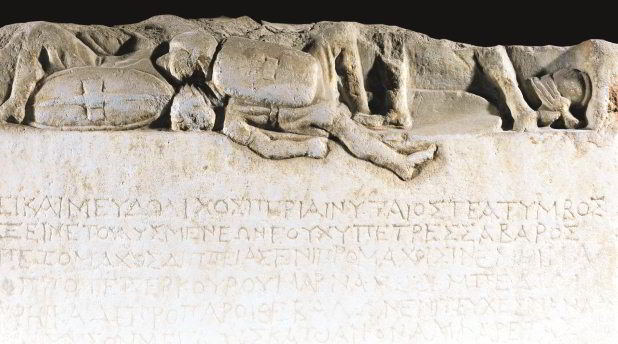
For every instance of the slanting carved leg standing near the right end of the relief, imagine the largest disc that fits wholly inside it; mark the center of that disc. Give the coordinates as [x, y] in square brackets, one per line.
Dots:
[496, 64]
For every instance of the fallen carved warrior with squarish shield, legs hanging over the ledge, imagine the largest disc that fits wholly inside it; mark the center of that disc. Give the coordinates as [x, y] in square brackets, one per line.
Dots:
[276, 103]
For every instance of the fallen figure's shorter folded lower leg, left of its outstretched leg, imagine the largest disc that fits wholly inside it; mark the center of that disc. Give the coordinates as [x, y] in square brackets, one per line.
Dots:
[271, 145]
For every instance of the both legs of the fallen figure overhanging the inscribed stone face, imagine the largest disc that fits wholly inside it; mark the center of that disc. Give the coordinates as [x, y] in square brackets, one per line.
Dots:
[398, 154]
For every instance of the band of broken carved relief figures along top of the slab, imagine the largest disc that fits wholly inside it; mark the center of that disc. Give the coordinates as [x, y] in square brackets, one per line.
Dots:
[334, 79]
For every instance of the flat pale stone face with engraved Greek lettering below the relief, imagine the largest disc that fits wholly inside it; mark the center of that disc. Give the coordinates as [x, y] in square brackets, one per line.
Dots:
[159, 237]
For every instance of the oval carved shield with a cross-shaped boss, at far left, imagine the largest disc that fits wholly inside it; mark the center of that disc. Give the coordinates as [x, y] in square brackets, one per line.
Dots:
[91, 98]
